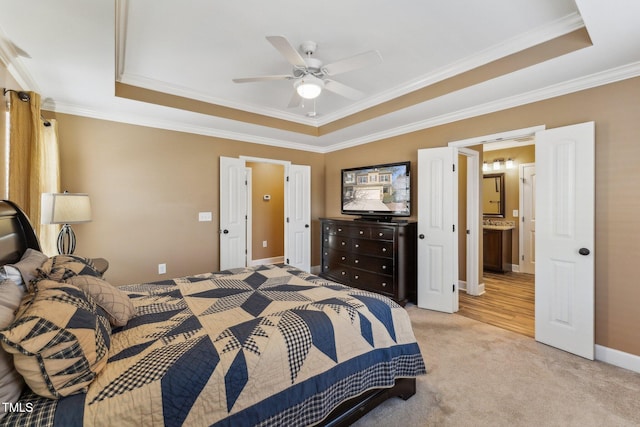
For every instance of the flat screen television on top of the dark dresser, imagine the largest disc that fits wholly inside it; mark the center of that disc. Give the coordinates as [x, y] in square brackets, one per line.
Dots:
[380, 192]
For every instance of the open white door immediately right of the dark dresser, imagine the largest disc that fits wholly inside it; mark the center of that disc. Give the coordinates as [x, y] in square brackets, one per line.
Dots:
[437, 229]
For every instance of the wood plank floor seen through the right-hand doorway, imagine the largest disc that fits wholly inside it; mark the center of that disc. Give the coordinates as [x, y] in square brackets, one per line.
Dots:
[508, 302]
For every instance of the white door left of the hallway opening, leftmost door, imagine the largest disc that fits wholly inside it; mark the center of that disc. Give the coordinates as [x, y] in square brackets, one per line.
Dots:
[233, 213]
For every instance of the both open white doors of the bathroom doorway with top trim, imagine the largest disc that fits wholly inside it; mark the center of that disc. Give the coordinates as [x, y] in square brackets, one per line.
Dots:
[565, 232]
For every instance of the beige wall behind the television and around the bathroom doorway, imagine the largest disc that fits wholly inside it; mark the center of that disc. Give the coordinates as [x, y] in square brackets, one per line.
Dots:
[615, 108]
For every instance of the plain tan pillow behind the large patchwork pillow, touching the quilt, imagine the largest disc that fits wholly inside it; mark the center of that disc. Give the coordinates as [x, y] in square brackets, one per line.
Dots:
[116, 303]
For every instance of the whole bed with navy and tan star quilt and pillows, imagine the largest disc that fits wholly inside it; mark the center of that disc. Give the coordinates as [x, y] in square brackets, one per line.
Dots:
[266, 345]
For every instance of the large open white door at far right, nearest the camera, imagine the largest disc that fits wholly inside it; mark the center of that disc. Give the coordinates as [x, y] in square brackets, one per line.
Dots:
[564, 302]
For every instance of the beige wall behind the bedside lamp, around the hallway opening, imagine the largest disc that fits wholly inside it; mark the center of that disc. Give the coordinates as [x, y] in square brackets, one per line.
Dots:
[147, 186]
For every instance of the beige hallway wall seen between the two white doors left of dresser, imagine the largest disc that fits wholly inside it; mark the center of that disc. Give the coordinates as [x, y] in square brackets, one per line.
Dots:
[267, 215]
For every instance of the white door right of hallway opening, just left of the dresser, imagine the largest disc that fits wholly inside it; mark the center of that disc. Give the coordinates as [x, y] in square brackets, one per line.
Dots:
[297, 247]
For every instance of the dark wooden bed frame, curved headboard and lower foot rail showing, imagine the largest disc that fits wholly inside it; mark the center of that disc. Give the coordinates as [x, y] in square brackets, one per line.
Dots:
[17, 234]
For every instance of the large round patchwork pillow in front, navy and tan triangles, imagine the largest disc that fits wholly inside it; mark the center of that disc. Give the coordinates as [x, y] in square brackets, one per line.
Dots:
[59, 340]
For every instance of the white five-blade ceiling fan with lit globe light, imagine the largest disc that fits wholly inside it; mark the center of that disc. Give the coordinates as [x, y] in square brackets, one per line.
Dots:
[310, 76]
